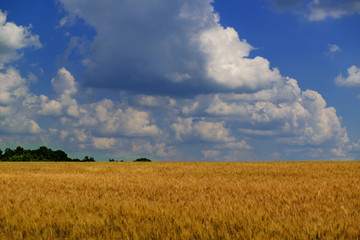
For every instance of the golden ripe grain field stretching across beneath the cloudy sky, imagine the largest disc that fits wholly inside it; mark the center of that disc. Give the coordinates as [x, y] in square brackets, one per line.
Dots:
[277, 200]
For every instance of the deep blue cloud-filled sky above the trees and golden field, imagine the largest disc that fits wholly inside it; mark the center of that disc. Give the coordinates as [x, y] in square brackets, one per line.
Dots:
[190, 80]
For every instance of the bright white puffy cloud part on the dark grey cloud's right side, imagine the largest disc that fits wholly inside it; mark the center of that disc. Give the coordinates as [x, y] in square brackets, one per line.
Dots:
[227, 61]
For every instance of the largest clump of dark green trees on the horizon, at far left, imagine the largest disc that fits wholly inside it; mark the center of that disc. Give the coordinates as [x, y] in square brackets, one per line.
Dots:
[42, 154]
